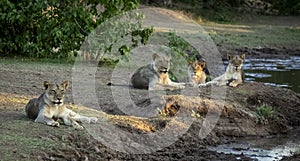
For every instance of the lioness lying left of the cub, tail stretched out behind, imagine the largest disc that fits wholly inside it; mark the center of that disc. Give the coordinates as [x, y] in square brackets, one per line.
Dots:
[155, 76]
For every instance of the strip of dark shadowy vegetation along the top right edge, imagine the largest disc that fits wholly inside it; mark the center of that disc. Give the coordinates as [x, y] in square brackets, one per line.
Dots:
[281, 7]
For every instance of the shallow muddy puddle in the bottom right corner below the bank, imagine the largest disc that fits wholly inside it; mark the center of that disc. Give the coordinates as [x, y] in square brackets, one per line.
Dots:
[272, 148]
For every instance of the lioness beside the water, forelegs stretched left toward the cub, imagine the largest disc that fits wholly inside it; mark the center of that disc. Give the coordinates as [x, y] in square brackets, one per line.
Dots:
[233, 75]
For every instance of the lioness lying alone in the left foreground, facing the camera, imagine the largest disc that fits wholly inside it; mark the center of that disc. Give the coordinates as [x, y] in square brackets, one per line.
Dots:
[50, 106]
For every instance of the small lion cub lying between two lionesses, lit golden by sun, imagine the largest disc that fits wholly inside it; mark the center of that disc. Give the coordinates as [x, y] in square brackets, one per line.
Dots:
[196, 75]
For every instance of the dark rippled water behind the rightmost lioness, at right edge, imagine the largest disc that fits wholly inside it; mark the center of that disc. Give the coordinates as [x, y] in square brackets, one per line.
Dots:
[275, 72]
